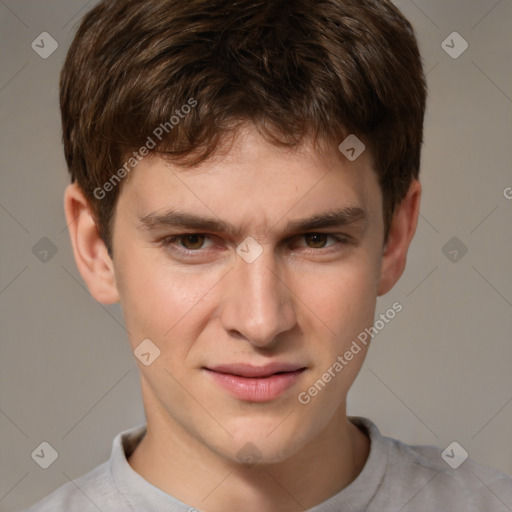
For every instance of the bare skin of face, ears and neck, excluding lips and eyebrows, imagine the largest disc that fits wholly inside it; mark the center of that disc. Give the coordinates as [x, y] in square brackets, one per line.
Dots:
[303, 300]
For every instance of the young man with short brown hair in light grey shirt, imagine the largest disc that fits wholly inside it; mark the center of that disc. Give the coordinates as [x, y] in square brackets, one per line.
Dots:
[245, 184]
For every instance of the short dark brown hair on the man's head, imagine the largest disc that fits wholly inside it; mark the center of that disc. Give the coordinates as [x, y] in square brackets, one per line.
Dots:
[325, 68]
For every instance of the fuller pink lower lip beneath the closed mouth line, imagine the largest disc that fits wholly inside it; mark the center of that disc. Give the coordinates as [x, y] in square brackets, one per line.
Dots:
[261, 389]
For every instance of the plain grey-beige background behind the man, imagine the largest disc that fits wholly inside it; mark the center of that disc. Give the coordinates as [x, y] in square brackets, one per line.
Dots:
[439, 372]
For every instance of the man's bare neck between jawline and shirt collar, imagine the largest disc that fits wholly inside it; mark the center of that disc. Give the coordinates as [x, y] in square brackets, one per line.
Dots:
[172, 460]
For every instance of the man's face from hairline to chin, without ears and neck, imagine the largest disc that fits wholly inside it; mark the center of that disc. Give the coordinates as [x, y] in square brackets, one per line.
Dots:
[251, 273]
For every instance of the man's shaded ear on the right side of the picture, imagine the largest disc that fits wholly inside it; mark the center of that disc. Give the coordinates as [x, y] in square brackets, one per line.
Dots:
[402, 229]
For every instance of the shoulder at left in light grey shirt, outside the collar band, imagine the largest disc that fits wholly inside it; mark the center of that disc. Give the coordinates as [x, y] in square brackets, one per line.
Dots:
[89, 493]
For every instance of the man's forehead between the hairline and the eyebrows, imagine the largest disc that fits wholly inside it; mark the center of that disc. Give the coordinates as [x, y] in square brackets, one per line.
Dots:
[250, 179]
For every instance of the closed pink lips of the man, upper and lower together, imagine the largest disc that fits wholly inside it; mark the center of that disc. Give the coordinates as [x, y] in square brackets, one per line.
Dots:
[256, 383]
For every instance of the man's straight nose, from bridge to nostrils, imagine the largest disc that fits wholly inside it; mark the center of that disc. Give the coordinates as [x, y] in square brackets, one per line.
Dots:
[258, 305]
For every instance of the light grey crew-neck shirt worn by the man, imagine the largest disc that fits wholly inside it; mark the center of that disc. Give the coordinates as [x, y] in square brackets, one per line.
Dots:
[396, 477]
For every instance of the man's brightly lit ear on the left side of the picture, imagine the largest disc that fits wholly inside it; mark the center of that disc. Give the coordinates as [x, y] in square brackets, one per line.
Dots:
[91, 255]
